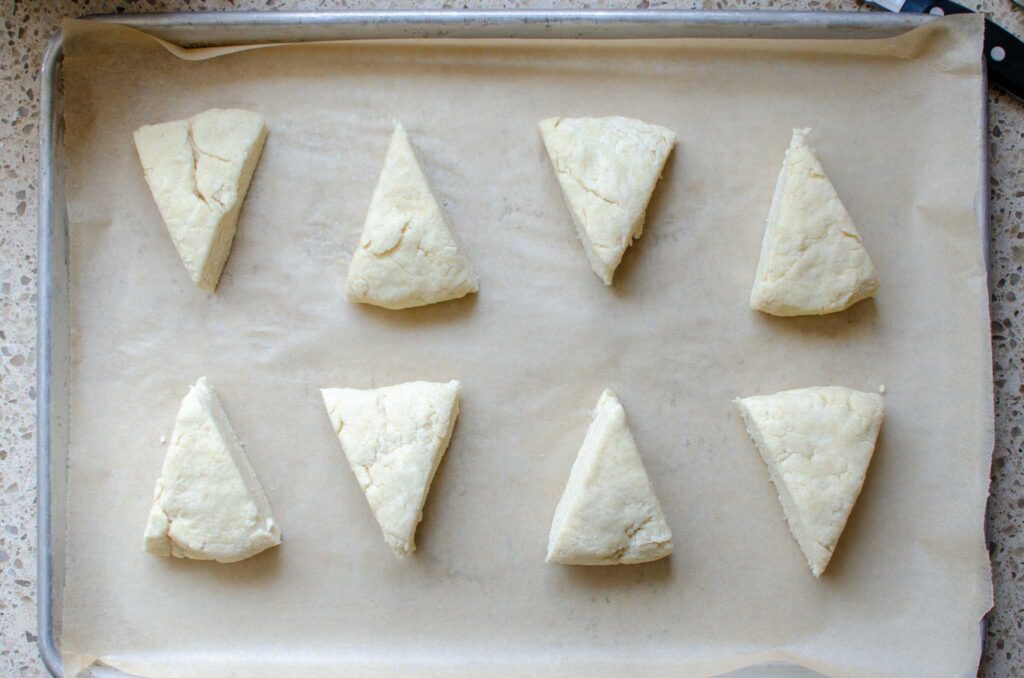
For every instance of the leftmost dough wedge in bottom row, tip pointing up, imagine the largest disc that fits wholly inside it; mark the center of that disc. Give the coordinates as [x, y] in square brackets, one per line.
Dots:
[208, 504]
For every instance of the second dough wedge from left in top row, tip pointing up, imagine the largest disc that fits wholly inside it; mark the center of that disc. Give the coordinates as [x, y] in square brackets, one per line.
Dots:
[407, 256]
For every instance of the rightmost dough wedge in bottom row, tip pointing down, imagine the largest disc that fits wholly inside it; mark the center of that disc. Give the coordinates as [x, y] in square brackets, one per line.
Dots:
[817, 444]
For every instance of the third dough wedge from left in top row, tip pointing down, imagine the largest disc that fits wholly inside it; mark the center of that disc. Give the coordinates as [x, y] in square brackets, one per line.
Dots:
[608, 168]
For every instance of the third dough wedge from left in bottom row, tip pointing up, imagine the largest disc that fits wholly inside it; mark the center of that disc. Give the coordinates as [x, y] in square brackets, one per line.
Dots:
[609, 514]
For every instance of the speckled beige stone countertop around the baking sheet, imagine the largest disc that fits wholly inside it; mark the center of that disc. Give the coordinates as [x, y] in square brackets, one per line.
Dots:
[29, 25]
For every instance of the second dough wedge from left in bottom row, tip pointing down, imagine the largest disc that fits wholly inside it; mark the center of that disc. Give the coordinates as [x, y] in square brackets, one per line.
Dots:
[395, 439]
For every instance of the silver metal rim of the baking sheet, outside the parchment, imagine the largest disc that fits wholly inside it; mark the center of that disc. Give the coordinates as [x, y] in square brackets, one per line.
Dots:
[209, 29]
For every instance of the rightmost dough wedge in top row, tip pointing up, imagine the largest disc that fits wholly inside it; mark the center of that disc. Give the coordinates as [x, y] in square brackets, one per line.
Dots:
[813, 260]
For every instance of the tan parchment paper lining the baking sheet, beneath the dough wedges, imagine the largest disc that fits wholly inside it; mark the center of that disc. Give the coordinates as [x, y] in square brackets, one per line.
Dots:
[899, 126]
